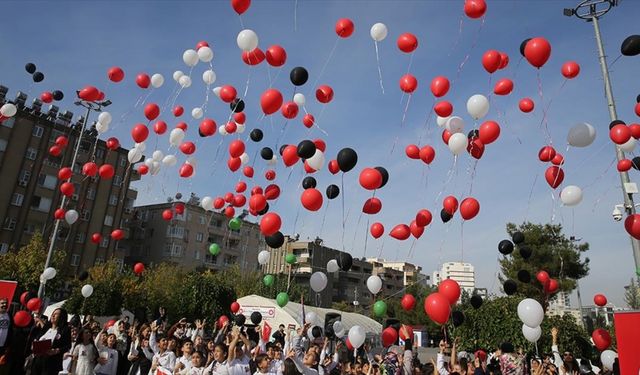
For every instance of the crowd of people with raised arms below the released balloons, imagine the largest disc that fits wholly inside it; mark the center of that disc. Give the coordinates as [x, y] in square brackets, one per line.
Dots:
[85, 347]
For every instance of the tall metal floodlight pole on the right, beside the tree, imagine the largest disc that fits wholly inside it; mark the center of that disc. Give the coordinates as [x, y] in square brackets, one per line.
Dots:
[591, 11]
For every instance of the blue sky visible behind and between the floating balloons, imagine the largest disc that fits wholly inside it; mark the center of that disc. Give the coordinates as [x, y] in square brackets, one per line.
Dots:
[74, 43]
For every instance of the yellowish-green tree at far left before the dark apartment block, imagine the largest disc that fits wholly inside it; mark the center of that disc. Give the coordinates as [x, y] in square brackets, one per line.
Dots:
[26, 265]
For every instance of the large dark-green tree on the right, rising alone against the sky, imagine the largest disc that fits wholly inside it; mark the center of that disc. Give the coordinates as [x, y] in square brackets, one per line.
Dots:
[553, 252]
